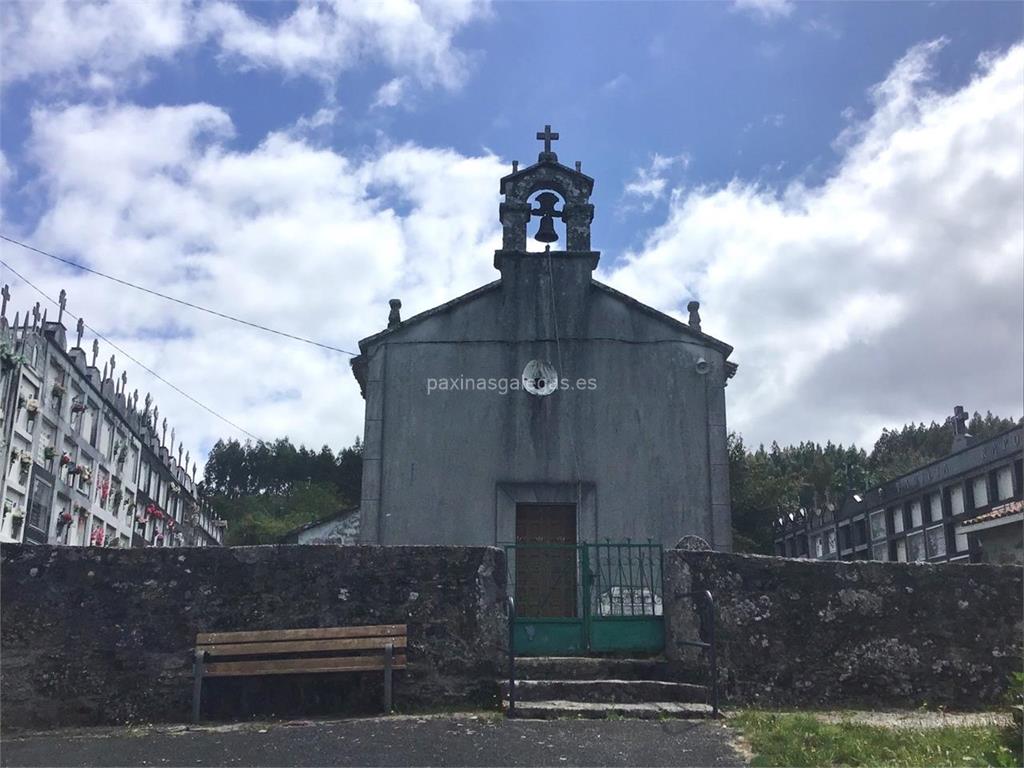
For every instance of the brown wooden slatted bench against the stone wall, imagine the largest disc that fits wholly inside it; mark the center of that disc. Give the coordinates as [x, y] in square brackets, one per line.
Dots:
[300, 652]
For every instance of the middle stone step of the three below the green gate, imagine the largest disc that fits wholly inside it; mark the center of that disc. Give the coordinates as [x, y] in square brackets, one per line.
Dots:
[608, 692]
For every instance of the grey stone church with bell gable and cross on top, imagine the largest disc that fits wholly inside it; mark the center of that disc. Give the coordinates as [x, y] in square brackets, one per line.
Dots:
[545, 406]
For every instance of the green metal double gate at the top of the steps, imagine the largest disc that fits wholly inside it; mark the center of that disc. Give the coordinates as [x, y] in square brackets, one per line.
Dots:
[586, 599]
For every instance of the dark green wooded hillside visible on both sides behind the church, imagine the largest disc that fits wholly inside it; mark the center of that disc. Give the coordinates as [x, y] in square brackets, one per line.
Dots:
[265, 490]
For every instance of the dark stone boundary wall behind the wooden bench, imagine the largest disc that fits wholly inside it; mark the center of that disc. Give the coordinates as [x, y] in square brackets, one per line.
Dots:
[100, 636]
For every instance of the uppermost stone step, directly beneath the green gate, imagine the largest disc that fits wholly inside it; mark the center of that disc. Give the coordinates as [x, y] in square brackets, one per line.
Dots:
[598, 668]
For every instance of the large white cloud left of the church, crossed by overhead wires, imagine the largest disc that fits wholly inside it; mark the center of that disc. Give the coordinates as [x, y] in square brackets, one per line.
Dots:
[289, 235]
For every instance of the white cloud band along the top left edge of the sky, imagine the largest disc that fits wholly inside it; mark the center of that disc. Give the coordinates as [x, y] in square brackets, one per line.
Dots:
[106, 47]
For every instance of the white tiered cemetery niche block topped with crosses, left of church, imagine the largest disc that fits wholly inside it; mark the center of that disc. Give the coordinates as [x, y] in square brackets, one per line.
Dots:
[84, 465]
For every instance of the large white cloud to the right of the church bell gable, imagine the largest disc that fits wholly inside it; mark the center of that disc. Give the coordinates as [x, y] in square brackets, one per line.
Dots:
[888, 293]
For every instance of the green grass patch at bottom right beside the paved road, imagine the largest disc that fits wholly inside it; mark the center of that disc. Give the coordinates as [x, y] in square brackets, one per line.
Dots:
[793, 740]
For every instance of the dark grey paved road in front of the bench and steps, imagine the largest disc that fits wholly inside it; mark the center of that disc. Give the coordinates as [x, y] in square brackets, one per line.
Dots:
[442, 741]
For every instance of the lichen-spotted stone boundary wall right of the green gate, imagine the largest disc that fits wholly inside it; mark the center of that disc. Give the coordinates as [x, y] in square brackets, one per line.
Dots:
[820, 633]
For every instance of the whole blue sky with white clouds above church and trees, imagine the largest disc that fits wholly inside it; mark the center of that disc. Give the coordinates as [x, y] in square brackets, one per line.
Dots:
[841, 186]
